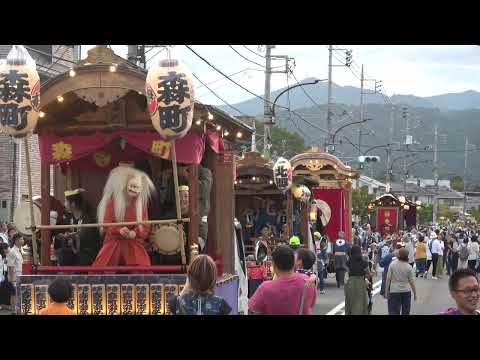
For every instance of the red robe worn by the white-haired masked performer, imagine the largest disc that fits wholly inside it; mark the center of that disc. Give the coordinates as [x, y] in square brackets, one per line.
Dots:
[118, 250]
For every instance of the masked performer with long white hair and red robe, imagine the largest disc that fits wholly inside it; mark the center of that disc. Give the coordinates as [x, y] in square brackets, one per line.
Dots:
[124, 200]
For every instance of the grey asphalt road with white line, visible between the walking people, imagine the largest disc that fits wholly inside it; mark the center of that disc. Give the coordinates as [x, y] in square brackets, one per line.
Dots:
[433, 297]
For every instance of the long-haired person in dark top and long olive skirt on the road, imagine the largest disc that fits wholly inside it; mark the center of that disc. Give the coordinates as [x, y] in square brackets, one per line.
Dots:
[356, 295]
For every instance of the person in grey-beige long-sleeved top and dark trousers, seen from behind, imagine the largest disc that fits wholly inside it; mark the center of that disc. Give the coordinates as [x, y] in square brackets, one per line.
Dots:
[400, 285]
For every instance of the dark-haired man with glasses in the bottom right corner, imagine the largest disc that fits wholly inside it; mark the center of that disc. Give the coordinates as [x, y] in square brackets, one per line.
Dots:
[464, 289]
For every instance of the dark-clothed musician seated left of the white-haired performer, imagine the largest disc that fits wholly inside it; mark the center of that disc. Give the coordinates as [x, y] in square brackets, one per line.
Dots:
[77, 246]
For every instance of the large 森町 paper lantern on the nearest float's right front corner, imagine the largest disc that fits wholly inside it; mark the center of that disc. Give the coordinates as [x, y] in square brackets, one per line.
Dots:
[170, 95]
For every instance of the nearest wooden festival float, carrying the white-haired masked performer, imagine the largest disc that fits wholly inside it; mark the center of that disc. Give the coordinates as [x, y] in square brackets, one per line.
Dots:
[159, 167]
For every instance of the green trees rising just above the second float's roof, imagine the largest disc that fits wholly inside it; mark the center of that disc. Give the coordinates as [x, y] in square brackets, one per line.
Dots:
[284, 143]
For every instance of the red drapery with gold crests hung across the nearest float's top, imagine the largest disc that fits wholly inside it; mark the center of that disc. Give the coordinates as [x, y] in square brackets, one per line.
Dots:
[104, 150]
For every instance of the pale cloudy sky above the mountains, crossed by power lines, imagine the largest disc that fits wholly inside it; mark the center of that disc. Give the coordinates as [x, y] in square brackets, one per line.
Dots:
[418, 70]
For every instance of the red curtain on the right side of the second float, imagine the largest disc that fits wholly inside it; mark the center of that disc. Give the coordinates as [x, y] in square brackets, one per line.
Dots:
[336, 200]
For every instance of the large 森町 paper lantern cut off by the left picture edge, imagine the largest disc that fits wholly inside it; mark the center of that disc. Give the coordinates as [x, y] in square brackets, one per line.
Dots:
[19, 93]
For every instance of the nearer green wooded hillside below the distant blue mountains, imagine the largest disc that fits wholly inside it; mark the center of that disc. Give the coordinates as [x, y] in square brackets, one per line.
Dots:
[456, 124]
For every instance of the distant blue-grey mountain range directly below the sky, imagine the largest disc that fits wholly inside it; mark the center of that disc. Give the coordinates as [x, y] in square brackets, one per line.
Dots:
[309, 95]
